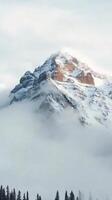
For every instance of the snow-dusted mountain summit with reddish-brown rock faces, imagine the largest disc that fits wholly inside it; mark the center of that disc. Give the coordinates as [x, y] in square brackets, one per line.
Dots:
[67, 65]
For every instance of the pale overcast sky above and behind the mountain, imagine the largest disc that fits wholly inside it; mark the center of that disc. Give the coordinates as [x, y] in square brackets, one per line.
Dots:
[31, 30]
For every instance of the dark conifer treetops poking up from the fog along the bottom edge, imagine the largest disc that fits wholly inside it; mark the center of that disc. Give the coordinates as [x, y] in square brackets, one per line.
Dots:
[7, 194]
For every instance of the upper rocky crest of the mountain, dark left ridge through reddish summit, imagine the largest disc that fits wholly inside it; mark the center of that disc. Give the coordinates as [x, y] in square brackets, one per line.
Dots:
[60, 67]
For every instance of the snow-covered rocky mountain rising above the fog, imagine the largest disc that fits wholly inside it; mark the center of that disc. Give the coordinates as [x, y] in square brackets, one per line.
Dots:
[63, 81]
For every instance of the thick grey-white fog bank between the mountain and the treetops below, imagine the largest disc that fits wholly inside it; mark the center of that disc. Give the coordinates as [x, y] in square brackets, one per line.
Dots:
[43, 155]
